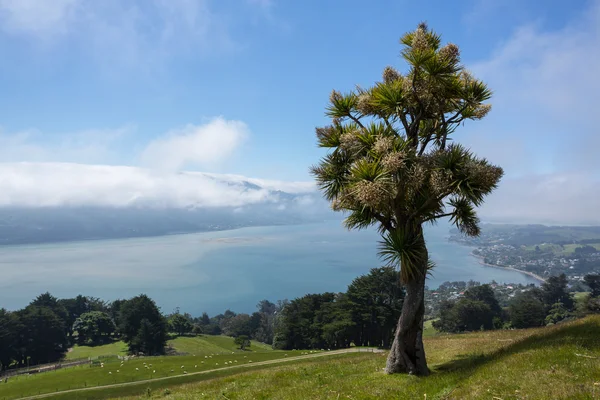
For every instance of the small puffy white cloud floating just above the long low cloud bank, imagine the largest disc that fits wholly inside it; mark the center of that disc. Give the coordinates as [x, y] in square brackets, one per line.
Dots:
[195, 145]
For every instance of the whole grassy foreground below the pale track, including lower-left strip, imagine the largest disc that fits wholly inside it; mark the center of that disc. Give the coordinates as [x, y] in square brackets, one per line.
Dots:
[558, 362]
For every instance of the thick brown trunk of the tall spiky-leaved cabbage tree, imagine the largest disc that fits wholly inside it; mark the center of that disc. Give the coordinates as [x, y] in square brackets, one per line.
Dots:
[407, 354]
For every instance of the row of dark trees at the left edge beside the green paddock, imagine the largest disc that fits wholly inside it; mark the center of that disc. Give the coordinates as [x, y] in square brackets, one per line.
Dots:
[43, 331]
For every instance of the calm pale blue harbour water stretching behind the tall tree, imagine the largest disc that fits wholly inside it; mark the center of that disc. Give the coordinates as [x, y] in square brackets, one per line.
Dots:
[218, 270]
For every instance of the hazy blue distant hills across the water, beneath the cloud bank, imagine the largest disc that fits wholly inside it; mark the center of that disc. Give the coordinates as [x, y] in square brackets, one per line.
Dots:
[28, 225]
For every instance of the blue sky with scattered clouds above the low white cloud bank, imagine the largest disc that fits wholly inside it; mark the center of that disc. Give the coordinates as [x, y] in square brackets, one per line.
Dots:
[238, 86]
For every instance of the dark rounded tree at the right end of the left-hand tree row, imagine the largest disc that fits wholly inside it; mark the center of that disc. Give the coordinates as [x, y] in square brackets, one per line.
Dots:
[149, 337]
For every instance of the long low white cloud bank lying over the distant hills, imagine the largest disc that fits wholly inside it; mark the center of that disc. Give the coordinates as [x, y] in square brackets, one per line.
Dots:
[63, 184]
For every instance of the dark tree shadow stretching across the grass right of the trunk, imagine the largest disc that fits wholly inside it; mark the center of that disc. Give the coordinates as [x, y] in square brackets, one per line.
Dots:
[584, 333]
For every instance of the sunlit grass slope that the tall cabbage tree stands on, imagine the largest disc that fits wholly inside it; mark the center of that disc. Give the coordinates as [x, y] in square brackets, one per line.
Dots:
[559, 362]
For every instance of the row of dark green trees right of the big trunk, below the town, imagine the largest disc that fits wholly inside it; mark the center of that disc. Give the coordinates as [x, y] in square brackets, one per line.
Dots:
[549, 304]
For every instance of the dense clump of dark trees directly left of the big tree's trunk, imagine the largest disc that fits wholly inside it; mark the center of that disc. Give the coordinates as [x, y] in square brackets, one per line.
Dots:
[366, 315]
